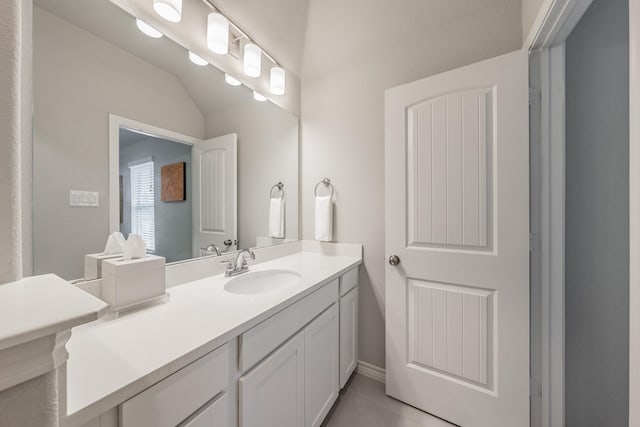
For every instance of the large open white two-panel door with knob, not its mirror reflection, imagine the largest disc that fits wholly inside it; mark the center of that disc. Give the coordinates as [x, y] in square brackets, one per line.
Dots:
[457, 217]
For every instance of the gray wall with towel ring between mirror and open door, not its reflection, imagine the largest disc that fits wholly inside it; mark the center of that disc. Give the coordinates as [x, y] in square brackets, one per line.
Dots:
[345, 73]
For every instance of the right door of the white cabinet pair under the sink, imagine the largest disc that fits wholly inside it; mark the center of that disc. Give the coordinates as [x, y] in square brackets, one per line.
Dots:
[321, 366]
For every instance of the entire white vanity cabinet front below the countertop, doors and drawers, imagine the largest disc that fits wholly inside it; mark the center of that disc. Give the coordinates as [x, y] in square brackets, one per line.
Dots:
[286, 371]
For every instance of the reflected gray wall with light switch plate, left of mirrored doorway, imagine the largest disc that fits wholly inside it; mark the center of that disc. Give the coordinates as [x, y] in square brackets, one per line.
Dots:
[78, 80]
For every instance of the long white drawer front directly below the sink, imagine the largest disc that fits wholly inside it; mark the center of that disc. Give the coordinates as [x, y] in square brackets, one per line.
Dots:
[258, 342]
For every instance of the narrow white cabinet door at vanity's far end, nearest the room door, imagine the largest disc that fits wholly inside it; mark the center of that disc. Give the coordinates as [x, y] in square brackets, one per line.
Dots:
[348, 335]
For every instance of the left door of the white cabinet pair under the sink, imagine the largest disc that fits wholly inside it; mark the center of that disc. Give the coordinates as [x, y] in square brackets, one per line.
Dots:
[272, 394]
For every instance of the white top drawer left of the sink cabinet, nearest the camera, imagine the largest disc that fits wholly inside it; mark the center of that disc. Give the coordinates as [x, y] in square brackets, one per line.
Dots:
[181, 394]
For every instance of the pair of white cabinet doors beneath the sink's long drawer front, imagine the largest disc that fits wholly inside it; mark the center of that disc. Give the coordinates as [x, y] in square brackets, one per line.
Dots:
[298, 383]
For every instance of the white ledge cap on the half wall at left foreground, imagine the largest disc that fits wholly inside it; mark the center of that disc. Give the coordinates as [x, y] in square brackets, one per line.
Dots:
[38, 306]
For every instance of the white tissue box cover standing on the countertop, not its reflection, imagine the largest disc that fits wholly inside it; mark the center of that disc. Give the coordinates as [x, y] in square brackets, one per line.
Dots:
[129, 283]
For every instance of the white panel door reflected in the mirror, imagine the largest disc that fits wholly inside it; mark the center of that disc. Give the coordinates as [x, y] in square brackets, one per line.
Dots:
[215, 186]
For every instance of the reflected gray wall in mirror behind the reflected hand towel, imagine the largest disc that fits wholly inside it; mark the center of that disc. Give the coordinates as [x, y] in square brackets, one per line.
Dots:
[267, 154]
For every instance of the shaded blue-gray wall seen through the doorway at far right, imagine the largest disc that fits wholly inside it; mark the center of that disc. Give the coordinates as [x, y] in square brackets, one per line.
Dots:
[597, 219]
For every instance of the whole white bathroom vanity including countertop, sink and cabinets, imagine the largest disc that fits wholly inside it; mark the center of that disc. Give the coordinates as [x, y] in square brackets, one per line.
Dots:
[244, 351]
